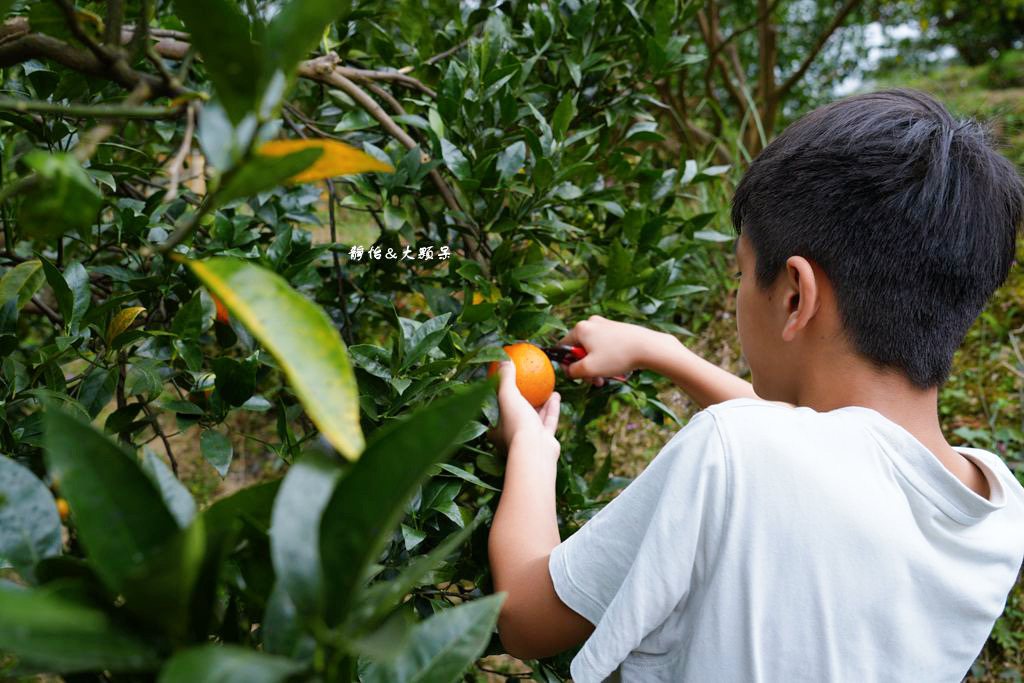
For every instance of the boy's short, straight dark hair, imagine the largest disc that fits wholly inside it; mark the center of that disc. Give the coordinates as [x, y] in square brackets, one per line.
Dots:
[911, 214]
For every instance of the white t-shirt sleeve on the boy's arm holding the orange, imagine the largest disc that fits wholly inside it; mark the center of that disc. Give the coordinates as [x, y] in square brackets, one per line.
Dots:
[632, 565]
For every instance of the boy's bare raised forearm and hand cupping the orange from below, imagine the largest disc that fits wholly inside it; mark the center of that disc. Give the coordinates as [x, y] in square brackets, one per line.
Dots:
[534, 621]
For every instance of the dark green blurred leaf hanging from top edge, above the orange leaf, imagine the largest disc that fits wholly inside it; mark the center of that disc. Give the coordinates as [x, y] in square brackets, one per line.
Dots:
[224, 37]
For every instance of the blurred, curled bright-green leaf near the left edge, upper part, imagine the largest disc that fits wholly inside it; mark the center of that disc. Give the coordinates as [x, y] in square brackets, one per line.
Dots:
[66, 198]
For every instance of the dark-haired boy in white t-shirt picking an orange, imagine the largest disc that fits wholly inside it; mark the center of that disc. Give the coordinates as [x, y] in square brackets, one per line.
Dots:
[815, 526]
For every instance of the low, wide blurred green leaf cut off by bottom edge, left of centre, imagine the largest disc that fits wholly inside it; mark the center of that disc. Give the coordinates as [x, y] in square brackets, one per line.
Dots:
[227, 664]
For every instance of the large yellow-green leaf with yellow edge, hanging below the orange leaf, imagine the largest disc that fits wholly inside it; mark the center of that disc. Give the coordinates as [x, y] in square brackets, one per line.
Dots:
[301, 336]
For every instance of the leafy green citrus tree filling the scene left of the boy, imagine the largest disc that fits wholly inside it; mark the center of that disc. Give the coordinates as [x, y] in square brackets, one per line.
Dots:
[325, 219]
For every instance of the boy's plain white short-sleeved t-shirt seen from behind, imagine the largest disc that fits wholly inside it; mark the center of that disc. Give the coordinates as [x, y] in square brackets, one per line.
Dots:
[774, 544]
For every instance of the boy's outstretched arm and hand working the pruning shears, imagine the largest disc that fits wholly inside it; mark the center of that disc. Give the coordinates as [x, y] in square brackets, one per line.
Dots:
[618, 349]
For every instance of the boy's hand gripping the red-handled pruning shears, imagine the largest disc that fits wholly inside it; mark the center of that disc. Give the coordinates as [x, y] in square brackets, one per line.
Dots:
[613, 349]
